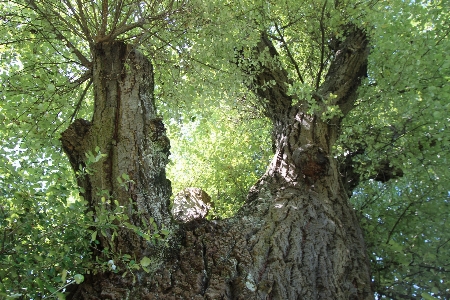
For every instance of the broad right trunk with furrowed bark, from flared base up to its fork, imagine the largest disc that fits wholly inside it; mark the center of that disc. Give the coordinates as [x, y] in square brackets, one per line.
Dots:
[297, 237]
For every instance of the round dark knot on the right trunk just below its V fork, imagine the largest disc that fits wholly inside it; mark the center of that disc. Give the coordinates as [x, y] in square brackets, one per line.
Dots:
[311, 160]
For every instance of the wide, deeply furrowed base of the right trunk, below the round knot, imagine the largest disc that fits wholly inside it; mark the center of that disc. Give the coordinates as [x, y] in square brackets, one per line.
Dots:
[286, 244]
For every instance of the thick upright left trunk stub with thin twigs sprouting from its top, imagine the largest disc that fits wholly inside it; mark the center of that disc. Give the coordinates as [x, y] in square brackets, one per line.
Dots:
[126, 129]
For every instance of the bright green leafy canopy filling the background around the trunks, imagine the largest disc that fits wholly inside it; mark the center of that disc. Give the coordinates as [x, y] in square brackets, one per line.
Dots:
[393, 146]
